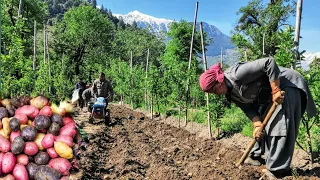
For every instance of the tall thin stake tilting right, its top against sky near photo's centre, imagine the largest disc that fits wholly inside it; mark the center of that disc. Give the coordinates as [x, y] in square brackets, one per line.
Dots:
[190, 58]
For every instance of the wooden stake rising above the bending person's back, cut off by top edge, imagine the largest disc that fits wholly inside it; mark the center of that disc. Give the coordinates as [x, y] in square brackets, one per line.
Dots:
[297, 33]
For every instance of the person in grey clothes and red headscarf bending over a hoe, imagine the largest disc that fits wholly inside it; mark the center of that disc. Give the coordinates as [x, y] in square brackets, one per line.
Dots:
[253, 87]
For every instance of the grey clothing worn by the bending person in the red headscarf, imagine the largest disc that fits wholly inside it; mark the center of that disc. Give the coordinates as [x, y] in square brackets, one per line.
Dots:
[249, 88]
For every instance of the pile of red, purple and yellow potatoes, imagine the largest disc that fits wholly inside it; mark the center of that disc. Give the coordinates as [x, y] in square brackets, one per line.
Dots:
[36, 139]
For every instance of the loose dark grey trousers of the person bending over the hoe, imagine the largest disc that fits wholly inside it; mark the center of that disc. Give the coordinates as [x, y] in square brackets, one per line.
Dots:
[282, 132]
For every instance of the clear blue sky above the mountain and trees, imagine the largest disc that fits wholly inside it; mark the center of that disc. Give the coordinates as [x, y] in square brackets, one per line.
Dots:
[220, 13]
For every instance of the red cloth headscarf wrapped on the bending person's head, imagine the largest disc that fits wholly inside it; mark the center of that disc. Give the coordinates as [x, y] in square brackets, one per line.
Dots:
[210, 77]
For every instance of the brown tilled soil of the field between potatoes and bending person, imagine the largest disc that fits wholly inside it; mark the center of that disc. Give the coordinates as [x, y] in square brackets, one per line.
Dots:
[135, 147]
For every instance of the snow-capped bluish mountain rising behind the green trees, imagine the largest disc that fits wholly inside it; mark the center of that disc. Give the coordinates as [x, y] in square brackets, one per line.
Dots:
[159, 25]
